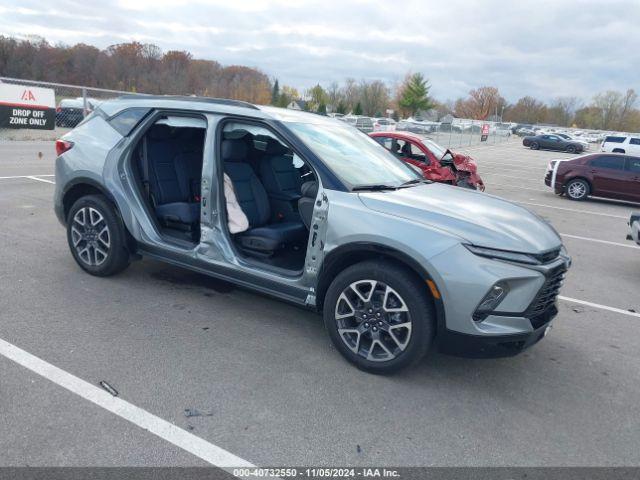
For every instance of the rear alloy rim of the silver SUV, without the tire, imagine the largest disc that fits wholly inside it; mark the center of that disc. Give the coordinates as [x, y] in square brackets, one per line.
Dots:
[90, 236]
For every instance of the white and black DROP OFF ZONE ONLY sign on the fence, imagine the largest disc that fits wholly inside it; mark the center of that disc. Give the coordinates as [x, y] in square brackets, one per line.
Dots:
[27, 107]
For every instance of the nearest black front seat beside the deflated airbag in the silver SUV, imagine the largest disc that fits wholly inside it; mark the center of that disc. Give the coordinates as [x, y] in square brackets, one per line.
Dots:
[252, 197]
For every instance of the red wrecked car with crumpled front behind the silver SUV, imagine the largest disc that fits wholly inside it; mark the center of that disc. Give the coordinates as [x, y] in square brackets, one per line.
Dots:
[437, 164]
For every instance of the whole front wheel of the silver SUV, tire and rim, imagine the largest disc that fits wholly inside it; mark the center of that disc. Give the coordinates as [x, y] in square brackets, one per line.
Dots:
[379, 316]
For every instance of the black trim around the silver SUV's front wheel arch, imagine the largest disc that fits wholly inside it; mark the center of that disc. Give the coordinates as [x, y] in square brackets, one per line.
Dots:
[347, 255]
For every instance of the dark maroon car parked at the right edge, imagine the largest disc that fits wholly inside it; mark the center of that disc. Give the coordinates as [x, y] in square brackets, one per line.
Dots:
[610, 175]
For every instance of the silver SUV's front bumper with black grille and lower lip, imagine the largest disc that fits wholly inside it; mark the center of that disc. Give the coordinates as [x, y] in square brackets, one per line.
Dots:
[520, 319]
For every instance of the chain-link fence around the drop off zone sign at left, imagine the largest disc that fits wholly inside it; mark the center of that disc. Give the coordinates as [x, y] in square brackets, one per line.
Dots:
[72, 104]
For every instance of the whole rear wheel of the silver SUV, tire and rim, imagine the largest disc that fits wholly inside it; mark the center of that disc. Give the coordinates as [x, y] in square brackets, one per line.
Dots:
[97, 237]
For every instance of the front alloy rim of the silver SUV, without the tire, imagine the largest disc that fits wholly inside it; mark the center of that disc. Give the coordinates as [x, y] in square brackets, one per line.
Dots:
[373, 320]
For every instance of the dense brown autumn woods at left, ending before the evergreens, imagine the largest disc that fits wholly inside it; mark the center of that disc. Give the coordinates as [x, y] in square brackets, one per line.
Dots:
[131, 67]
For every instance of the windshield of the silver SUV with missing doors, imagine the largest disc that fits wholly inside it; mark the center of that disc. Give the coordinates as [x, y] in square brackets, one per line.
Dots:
[354, 157]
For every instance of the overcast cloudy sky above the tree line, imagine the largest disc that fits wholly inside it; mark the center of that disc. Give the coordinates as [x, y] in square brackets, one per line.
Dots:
[545, 48]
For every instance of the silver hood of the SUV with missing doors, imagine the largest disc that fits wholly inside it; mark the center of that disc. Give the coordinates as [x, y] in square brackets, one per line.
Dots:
[478, 218]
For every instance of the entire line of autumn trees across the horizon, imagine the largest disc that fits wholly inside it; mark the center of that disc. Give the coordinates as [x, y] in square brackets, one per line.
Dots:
[140, 67]
